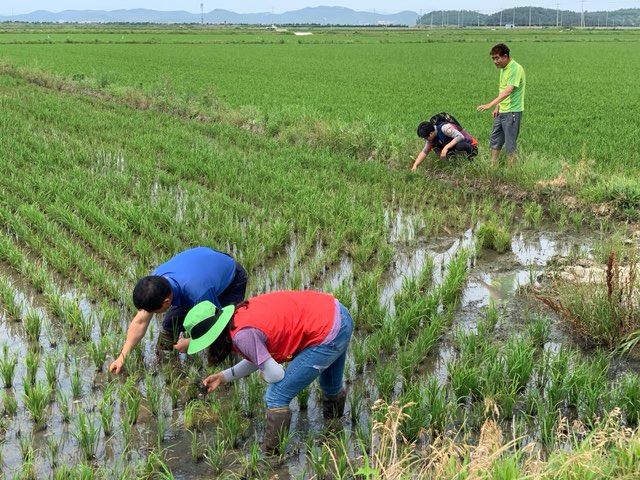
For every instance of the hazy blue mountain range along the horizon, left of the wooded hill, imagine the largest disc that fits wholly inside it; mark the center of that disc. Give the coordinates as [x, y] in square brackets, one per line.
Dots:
[317, 15]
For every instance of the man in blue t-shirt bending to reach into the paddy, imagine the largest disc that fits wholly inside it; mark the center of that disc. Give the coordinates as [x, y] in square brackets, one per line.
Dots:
[192, 276]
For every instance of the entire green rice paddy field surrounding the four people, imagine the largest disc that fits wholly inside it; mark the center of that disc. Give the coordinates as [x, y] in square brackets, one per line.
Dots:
[495, 308]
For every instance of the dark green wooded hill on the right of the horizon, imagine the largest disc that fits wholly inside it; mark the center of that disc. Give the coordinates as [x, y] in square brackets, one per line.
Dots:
[534, 16]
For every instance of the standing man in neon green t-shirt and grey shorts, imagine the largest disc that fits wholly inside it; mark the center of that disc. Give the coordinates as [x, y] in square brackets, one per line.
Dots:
[508, 105]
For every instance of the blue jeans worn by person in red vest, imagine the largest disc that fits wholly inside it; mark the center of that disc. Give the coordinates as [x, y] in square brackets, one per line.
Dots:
[325, 361]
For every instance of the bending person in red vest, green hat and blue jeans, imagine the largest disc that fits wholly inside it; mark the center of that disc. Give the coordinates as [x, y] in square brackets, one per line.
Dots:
[308, 330]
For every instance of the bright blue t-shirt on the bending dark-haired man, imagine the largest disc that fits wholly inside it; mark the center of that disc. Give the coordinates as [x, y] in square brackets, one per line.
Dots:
[197, 274]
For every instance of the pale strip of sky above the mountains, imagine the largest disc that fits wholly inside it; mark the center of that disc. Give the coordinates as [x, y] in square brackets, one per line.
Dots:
[15, 7]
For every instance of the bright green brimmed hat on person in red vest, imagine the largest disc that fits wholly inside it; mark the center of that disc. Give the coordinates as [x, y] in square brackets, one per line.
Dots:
[204, 323]
